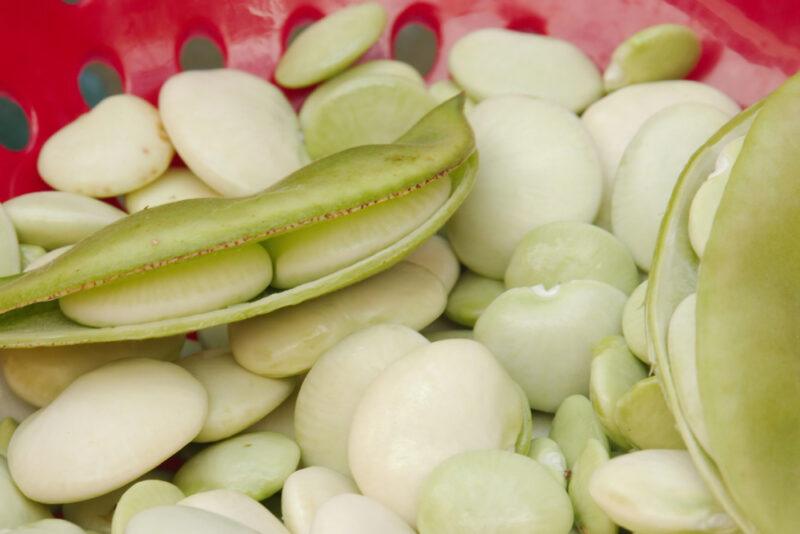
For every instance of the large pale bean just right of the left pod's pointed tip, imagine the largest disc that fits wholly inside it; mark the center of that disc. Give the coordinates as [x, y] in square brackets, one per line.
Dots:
[538, 164]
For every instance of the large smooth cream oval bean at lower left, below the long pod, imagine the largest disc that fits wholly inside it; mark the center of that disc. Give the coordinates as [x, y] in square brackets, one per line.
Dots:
[89, 440]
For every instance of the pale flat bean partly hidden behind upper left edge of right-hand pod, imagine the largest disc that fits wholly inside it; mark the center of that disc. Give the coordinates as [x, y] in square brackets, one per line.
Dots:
[648, 172]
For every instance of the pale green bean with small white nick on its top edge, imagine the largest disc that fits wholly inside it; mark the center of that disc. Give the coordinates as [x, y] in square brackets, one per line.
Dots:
[544, 337]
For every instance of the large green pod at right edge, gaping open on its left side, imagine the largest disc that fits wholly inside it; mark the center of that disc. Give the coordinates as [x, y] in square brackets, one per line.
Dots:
[747, 360]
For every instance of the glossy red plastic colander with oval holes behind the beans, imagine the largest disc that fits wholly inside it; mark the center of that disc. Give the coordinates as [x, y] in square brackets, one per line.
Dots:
[750, 46]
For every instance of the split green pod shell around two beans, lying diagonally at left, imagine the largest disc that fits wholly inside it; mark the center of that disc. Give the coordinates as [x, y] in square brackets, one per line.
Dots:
[440, 146]
